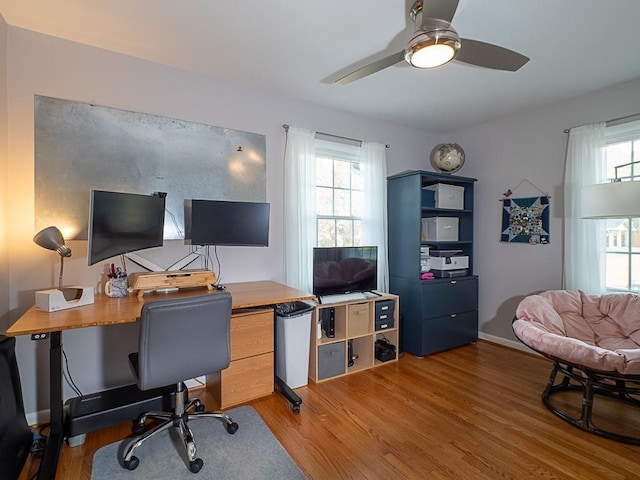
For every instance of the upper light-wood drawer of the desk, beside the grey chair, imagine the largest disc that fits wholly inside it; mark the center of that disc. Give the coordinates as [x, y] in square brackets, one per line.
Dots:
[251, 333]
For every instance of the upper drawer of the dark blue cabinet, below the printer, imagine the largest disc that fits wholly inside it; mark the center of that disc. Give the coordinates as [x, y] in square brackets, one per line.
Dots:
[444, 298]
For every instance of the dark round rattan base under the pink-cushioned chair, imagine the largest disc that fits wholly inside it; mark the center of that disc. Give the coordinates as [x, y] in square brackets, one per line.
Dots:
[591, 383]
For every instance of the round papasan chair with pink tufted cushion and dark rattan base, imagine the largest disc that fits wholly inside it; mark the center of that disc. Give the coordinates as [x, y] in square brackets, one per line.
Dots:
[594, 343]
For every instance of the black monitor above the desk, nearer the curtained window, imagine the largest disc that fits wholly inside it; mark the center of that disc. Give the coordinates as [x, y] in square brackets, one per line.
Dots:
[219, 222]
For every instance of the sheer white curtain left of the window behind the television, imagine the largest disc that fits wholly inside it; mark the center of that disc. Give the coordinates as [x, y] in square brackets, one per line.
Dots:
[299, 207]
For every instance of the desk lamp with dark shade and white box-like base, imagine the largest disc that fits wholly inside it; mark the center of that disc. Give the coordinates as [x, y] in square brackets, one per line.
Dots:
[61, 298]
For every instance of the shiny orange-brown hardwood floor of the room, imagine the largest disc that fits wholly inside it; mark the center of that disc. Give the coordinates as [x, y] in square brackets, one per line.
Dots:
[470, 413]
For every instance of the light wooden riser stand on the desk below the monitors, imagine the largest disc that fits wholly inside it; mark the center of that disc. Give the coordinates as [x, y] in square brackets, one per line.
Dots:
[153, 281]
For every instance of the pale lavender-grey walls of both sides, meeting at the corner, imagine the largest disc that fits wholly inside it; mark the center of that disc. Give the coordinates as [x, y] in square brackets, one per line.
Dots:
[530, 145]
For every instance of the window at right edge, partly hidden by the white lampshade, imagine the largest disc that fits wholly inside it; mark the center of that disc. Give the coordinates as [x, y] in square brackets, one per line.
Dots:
[623, 235]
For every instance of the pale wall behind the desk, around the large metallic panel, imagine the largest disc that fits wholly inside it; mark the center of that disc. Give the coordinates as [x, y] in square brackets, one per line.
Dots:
[43, 65]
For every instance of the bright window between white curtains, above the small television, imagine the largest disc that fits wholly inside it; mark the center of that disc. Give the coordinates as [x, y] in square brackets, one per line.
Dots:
[339, 195]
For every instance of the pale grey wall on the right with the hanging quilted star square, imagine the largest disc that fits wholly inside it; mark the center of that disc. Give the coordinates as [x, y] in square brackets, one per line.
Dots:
[527, 146]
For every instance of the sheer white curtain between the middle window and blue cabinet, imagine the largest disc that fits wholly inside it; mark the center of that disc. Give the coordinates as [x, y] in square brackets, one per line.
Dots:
[373, 162]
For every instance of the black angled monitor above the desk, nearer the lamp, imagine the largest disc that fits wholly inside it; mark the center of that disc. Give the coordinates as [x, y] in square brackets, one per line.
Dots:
[123, 222]
